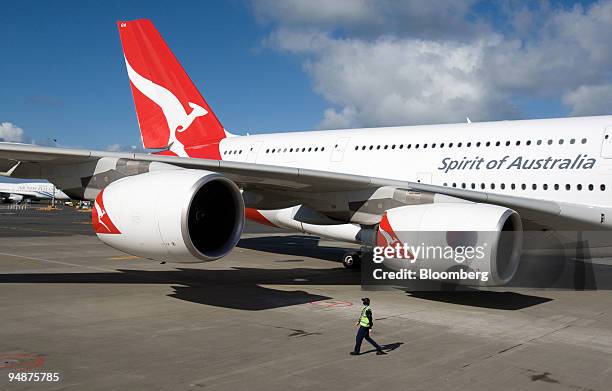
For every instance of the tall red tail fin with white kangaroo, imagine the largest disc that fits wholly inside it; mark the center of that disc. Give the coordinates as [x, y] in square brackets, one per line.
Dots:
[171, 111]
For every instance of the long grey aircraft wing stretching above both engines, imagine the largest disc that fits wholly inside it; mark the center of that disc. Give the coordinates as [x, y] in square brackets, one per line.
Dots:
[260, 176]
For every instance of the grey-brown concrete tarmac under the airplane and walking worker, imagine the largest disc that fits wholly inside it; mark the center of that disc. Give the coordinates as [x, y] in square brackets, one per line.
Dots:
[275, 314]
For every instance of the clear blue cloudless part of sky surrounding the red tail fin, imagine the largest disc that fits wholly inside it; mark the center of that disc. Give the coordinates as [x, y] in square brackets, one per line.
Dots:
[63, 76]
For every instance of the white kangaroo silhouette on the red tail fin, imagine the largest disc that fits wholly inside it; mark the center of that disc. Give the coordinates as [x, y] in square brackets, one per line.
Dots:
[177, 118]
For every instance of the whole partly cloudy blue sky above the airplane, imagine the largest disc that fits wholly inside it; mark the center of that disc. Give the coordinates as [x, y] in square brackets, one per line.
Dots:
[269, 66]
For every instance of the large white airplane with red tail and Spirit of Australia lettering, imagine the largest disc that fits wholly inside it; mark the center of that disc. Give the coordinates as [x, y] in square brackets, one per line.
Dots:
[533, 186]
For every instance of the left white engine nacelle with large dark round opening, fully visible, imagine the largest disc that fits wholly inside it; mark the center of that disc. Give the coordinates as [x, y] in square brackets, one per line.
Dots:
[171, 215]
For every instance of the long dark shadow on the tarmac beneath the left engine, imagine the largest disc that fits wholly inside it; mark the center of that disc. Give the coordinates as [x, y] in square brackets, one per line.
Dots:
[238, 288]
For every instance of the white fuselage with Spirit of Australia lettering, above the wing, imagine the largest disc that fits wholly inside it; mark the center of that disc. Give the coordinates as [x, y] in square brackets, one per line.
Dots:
[567, 160]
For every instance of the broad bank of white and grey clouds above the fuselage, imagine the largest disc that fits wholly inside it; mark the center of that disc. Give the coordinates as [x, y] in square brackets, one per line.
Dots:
[413, 62]
